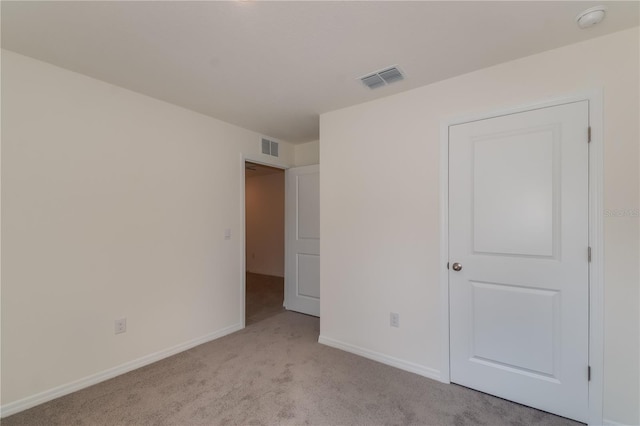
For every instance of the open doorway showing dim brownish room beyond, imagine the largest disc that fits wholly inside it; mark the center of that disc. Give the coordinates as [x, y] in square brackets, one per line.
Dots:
[264, 241]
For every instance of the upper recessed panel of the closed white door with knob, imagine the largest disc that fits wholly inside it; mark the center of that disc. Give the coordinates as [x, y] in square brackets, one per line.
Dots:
[514, 183]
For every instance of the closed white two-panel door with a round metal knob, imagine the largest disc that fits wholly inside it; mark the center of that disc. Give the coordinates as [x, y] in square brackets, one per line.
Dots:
[518, 228]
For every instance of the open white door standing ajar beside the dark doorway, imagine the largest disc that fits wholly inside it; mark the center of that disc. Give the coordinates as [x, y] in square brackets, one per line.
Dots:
[302, 222]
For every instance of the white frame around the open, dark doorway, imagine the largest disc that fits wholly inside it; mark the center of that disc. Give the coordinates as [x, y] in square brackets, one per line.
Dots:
[243, 229]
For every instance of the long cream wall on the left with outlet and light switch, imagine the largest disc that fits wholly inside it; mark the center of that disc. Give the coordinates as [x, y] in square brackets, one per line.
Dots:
[113, 204]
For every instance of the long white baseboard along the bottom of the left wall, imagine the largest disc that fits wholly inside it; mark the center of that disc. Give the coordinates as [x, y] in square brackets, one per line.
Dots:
[58, 391]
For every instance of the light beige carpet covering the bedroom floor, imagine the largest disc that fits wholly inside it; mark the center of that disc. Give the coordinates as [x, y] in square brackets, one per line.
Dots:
[274, 372]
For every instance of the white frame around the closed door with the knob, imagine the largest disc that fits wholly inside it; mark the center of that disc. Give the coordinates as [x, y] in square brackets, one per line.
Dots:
[596, 223]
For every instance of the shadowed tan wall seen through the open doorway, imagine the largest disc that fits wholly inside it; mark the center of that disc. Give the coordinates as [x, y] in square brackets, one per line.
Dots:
[264, 201]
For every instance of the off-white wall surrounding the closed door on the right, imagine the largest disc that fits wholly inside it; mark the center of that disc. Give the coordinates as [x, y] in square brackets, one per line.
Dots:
[380, 205]
